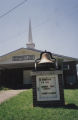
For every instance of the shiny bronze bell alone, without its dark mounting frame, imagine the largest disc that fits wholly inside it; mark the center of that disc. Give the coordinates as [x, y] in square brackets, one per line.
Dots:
[45, 58]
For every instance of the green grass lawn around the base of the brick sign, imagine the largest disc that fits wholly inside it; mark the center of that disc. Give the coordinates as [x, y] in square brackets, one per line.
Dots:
[21, 107]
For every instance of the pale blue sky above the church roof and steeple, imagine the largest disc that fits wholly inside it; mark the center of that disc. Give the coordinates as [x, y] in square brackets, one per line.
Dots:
[54, 26]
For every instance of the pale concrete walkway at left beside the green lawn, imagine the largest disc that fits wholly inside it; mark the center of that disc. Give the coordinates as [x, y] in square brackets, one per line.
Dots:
[4, 95]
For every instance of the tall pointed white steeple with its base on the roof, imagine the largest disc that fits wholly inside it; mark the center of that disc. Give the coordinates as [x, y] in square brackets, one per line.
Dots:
[30, 43]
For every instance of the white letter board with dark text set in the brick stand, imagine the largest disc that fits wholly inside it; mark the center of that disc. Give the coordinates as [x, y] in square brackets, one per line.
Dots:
[47, 88]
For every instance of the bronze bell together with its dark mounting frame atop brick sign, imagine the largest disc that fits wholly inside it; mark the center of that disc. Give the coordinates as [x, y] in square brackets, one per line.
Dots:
[45, 62]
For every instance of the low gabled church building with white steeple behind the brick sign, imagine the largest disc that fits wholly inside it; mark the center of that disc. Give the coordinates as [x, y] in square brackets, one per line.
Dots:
[16, 66]
